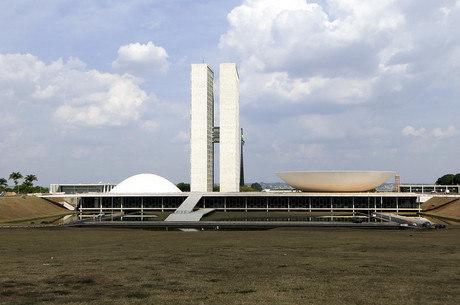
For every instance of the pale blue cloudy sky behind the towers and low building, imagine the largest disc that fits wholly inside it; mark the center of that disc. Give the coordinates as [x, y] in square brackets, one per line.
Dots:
[96, 91]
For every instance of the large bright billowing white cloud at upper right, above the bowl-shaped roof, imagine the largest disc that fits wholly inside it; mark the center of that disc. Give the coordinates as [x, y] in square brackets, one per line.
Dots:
[342, 52]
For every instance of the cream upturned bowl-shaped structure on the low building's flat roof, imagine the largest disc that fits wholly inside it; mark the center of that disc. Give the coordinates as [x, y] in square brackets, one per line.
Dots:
[335, 181]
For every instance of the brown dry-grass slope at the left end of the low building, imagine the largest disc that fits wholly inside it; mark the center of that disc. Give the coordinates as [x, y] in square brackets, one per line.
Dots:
[14, 209]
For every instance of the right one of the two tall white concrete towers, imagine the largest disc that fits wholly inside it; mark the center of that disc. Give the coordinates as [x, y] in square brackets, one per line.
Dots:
[230, 137]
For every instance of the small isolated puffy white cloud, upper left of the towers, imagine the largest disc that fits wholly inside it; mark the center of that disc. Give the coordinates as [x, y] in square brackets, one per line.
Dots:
[141, 59]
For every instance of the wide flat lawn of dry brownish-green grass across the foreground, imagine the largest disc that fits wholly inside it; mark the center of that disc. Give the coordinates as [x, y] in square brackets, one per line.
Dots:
[284, 266]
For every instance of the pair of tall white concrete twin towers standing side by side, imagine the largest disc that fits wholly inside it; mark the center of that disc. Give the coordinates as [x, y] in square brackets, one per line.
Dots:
[203, 133]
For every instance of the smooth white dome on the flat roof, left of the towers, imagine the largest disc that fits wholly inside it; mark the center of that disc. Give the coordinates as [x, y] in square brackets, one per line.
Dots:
[145, 183]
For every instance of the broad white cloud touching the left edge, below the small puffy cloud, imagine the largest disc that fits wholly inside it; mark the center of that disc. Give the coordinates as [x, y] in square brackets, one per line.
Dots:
[75, 96]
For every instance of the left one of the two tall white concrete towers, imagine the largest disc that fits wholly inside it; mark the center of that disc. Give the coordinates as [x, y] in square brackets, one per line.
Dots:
[201, 124]
